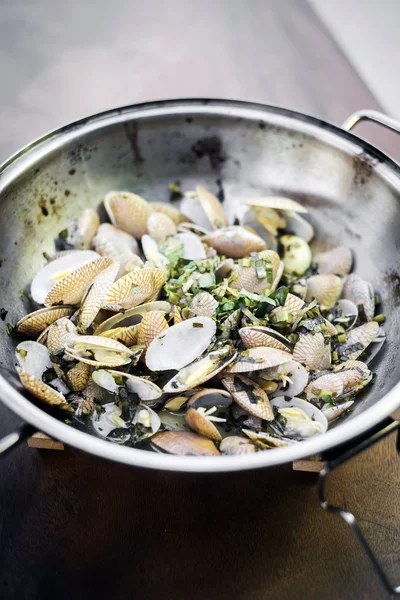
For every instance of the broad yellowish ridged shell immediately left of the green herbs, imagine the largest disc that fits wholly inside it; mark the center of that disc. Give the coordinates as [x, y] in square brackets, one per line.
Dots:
[134, 288]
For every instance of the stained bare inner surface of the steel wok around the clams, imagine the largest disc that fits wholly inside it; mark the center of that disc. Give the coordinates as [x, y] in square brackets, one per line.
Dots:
[350, 190]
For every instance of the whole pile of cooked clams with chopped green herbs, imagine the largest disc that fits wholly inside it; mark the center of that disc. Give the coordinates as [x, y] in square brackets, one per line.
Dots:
[194, 337]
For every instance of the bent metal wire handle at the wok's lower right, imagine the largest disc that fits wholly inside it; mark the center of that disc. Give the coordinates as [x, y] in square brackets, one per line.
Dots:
[337, 457]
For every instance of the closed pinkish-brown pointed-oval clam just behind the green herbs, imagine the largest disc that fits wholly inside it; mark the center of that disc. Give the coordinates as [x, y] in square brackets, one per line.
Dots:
[234, 242]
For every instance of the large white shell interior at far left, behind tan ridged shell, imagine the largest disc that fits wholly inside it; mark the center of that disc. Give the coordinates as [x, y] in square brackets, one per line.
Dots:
[43, 281]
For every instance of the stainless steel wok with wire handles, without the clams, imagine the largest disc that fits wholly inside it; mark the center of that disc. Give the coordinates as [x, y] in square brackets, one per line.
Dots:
[352, 191]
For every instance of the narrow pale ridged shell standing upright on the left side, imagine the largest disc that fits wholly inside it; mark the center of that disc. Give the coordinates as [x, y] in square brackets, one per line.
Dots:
[96, 296]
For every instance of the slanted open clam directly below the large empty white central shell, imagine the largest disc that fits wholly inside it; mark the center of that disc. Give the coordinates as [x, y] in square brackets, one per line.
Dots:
[201, 370]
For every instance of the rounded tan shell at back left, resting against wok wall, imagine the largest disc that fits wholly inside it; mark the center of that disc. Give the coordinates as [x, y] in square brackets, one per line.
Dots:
[128, 212]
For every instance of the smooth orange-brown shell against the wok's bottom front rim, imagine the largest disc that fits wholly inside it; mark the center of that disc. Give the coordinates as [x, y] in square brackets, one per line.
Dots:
[184, 443]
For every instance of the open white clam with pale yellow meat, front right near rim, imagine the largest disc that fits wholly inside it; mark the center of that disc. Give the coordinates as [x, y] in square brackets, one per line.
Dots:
[302, 419]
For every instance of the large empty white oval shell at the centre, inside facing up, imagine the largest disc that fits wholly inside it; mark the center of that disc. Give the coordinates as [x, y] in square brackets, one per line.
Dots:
[180, 344]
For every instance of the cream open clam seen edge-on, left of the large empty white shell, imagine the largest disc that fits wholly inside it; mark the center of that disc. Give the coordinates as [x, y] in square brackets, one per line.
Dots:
[98, 351]
